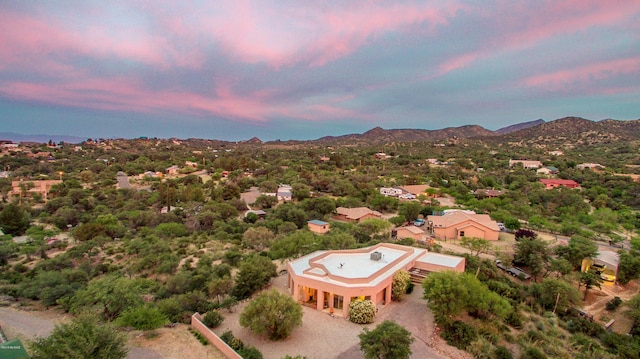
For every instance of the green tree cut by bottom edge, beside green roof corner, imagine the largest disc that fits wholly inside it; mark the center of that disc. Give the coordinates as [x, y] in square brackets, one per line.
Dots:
[82, 338]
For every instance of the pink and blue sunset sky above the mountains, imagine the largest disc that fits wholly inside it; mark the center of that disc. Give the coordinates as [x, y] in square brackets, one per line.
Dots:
[282, 69]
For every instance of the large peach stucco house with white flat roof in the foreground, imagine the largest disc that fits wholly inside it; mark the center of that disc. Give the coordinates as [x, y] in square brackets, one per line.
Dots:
[331, 280]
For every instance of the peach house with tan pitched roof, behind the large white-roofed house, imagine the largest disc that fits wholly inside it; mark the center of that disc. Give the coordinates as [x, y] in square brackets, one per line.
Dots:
[458, 224]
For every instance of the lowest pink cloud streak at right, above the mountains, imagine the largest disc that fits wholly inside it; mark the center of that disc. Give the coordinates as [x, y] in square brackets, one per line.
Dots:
[585, 74]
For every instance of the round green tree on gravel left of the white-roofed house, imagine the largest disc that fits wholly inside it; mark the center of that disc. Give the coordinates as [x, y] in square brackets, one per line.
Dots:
[272, 313]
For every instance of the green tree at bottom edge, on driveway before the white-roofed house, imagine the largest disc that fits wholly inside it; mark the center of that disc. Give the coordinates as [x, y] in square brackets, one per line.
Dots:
[387, 341]
